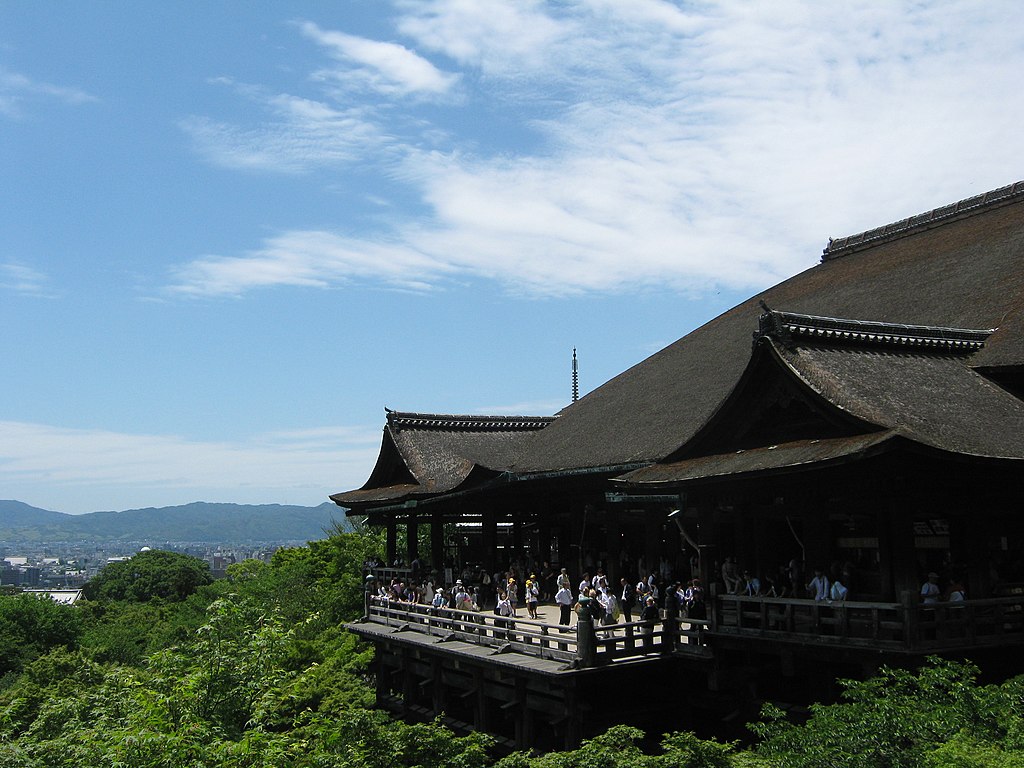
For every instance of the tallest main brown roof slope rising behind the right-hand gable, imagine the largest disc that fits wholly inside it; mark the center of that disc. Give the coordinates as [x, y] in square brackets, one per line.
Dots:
[962, 269]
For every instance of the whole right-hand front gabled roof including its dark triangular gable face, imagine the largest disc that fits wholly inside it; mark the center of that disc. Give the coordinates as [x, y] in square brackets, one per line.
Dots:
[872, 387]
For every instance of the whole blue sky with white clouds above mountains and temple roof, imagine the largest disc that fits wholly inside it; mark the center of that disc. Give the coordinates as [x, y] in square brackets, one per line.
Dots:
[233, 233]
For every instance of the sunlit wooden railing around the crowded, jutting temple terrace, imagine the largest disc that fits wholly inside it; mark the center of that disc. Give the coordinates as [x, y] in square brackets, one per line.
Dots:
[539, 639]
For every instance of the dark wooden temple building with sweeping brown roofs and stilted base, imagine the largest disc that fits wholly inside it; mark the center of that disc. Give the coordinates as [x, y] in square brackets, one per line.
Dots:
[864, 418]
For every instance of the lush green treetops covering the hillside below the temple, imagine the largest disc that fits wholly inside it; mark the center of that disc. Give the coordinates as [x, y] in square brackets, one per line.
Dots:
[162, 667]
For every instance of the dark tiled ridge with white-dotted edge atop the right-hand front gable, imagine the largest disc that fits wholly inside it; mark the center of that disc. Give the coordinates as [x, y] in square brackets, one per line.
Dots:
[787, 326]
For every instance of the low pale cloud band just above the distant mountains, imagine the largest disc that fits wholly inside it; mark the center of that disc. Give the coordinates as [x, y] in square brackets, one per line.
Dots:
[129, 471]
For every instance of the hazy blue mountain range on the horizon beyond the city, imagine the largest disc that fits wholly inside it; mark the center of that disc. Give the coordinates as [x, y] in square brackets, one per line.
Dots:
[197, 523]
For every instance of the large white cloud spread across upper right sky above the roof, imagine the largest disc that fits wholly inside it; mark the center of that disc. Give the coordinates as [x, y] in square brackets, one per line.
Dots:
[681, 147]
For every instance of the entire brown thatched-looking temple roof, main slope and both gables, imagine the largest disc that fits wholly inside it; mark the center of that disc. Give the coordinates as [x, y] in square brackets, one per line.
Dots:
[951, 281]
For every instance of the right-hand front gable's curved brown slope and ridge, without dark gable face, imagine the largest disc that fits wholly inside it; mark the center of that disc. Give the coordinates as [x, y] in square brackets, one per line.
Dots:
[914, 380]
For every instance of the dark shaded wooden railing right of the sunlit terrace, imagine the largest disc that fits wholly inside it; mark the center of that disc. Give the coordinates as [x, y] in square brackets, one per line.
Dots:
[907, 626]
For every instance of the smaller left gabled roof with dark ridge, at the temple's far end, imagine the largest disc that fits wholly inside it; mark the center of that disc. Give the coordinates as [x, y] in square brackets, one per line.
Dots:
[428, 454]
